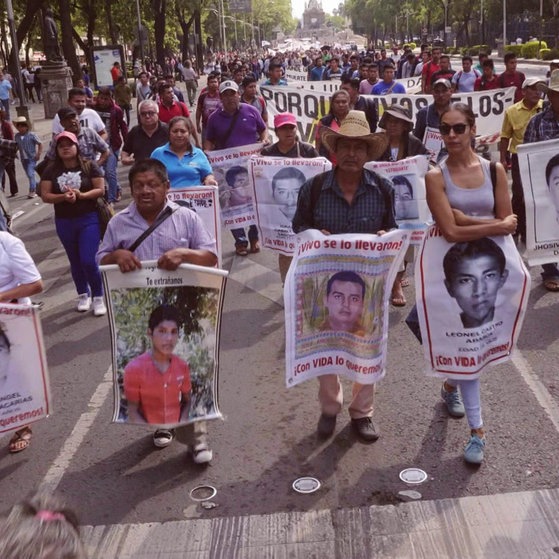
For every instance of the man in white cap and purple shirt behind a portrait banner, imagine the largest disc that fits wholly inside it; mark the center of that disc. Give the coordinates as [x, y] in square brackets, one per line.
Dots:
[236, 124]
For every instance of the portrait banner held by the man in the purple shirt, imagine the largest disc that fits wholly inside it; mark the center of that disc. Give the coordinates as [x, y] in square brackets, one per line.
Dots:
[230, 169]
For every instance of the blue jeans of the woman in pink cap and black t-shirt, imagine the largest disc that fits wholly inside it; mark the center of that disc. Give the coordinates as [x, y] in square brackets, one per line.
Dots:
[80, 237]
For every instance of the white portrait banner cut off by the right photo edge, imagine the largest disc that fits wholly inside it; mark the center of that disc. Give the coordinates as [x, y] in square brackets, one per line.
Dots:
[539, 168]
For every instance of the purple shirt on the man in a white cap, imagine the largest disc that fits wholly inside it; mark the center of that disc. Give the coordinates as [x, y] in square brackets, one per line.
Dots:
[246, 131]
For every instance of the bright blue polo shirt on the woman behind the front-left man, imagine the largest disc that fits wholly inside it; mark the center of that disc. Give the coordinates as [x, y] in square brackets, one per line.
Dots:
[190, 170]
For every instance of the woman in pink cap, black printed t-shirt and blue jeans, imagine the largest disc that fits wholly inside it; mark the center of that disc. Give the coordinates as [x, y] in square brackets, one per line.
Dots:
[73, 185]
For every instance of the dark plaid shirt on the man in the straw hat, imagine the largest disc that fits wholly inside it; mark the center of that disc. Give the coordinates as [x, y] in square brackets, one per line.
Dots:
[372, 208]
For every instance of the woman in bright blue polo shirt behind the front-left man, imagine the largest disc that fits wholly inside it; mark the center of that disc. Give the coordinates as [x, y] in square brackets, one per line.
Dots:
[186, 164]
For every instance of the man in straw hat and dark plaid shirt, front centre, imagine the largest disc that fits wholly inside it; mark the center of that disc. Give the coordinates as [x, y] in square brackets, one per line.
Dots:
[348, 199]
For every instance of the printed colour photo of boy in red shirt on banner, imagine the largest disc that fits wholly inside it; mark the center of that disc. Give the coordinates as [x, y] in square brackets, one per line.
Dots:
[165, 353]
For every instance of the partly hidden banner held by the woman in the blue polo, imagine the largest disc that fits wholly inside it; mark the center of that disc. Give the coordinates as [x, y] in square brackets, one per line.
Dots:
[204, 201]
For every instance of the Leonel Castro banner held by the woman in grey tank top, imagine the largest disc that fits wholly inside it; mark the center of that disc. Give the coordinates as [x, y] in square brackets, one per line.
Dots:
[471, 299]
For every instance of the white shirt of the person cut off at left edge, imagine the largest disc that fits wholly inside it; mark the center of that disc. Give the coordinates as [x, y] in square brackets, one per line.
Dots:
[16, 265]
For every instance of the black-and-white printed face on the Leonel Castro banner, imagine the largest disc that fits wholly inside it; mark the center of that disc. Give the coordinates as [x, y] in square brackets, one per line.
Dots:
[474, 272]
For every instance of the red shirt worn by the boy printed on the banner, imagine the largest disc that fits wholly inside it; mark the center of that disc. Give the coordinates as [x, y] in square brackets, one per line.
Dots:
[158, 395]
